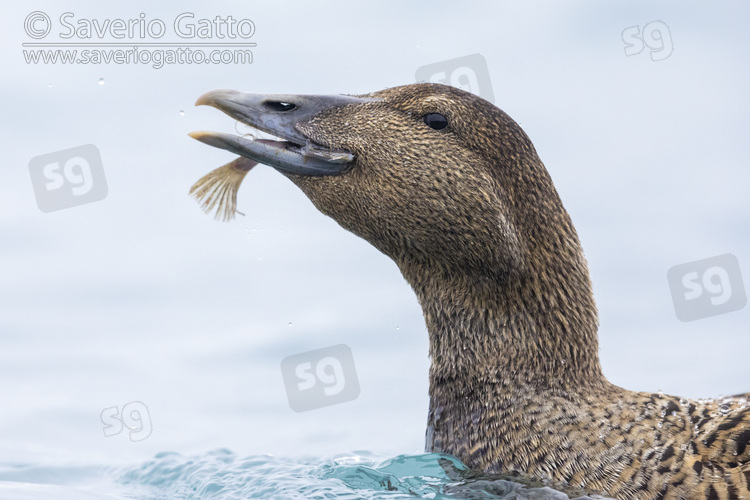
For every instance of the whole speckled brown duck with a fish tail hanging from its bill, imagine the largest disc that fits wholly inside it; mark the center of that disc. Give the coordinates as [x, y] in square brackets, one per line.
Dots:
[451, 188]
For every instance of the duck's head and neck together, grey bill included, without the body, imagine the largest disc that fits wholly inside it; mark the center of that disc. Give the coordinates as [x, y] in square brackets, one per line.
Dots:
[452, 189]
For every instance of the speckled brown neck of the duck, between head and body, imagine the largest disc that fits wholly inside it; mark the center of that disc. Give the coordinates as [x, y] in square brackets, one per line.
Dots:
[532, 329]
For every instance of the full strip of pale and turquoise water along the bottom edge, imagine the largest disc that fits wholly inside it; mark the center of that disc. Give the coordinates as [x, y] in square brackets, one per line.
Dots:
[223, 475]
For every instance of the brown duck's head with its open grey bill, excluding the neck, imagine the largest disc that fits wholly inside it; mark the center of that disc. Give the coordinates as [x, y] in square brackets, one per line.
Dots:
[427, 173]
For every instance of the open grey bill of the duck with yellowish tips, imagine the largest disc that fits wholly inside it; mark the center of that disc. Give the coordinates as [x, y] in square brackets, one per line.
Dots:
[278, 115]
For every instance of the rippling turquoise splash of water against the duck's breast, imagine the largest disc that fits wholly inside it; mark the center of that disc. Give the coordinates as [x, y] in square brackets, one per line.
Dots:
[223, 475]
